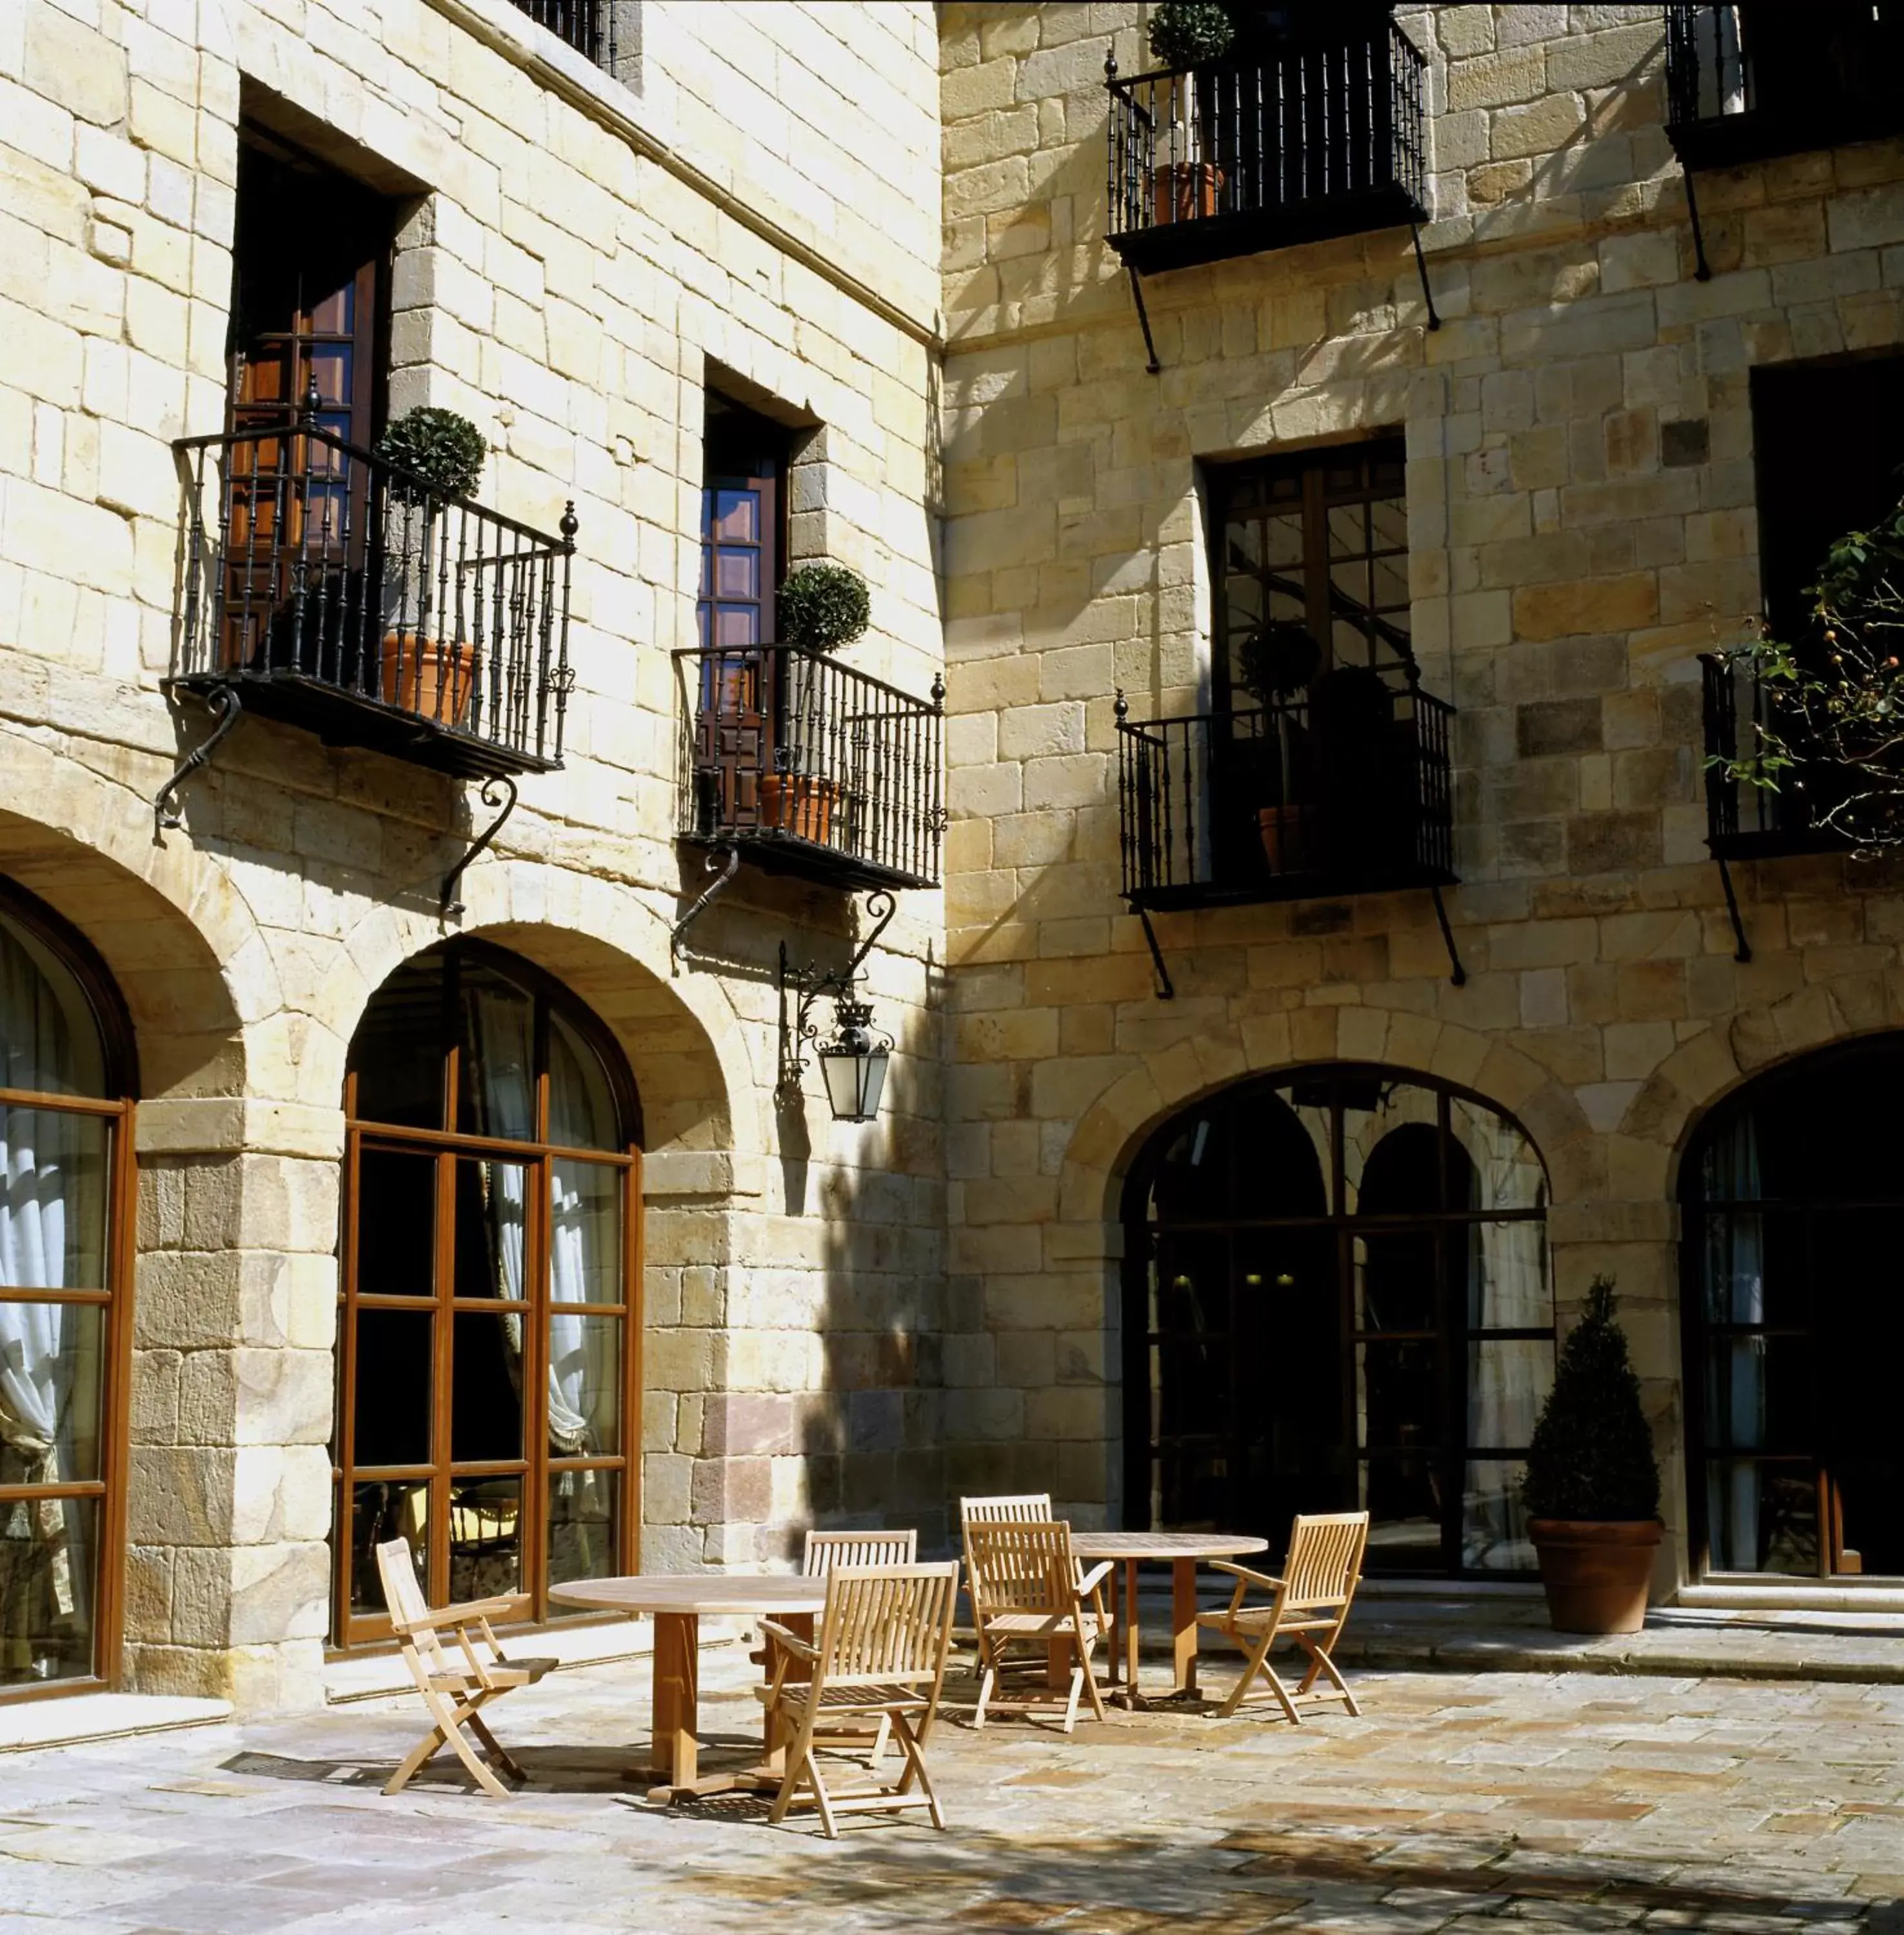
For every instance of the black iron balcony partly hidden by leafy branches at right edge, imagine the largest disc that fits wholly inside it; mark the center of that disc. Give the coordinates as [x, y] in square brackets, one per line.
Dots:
[1748, 821]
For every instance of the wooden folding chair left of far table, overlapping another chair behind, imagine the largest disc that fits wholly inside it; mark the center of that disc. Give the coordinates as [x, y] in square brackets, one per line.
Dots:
[1030, 1592]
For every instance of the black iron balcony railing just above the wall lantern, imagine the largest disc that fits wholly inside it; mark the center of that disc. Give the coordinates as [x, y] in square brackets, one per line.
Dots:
[810, 767]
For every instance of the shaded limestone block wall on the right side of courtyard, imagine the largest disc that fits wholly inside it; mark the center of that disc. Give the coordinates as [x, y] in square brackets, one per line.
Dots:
[1584, 523]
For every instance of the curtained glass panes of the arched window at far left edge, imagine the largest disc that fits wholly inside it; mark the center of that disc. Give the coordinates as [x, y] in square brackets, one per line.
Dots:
[45, 1214]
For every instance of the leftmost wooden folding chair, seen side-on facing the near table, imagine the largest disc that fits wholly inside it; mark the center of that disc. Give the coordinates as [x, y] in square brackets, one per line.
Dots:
[458, 1667]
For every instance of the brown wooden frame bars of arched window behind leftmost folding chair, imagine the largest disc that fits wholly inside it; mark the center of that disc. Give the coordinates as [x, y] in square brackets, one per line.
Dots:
[535, 1468]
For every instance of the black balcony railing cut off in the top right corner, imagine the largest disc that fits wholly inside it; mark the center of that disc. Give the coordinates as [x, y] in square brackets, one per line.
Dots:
[1754, 80]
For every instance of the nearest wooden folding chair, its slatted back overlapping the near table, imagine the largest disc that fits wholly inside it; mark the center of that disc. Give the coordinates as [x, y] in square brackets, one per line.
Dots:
[881, 1652]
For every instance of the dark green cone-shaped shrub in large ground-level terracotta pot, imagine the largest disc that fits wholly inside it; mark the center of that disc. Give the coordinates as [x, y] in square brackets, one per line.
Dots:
[1592, 1456]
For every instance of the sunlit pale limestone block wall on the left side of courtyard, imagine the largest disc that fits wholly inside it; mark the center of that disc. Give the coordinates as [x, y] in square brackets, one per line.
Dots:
[580, 260]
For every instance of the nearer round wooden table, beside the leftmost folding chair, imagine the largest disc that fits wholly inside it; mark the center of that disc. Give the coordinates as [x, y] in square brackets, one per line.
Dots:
[678, 1603]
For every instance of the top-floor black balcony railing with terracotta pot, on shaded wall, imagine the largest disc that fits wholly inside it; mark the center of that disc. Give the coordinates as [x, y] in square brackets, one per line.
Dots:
[1307, 142]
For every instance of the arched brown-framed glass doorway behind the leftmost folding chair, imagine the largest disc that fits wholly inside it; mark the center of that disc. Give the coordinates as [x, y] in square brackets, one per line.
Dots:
[491, 1290]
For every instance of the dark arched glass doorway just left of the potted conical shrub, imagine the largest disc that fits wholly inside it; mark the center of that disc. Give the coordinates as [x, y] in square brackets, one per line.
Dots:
[1336, 1295]
